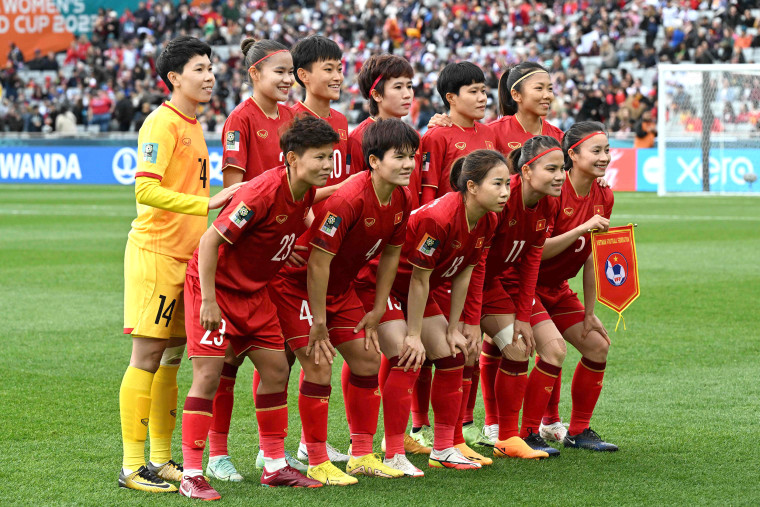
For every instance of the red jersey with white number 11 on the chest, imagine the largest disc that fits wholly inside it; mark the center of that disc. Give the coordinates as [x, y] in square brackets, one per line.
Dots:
[515, 254]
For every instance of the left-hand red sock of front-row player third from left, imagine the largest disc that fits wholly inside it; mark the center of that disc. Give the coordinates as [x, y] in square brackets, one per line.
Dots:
[397, 401]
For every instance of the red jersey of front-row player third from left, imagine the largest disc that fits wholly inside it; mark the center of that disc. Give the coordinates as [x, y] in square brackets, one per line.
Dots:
[438, 238]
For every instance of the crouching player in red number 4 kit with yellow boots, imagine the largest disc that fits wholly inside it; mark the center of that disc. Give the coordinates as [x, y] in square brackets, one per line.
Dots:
[320, 310]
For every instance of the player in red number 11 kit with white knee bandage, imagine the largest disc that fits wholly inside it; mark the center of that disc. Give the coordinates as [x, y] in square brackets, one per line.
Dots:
[512, 315]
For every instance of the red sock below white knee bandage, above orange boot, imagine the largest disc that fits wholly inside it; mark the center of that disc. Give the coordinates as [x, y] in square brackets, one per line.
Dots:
[511, 380]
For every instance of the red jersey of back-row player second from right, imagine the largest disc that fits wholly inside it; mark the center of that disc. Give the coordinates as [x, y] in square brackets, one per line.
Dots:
[441, 146]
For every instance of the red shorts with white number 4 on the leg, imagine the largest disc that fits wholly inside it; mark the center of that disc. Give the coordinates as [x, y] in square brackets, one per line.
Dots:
[344, 312]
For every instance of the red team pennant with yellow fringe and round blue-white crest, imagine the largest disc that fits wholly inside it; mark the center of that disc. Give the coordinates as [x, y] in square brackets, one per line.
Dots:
[617, 273]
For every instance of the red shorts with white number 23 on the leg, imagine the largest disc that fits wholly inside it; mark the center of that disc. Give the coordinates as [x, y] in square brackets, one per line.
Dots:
[249, 321]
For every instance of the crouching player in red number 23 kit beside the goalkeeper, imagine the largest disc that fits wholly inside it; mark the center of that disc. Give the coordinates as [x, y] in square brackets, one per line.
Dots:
[226, 290]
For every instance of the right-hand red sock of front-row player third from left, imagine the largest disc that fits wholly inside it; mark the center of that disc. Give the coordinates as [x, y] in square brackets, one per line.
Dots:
[446, 398]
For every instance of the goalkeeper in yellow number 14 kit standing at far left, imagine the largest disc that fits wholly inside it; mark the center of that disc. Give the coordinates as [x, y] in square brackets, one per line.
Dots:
[172, 192]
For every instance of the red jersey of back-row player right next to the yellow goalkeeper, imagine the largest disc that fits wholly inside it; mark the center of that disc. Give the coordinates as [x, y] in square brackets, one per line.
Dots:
[251, 139]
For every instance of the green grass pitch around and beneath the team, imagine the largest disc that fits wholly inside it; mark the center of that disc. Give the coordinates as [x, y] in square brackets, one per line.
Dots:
[680, 396]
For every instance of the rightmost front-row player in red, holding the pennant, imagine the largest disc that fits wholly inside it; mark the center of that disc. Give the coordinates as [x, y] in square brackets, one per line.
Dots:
[584, 206]
